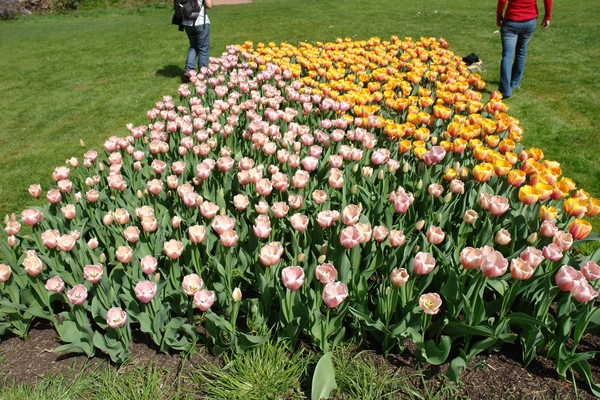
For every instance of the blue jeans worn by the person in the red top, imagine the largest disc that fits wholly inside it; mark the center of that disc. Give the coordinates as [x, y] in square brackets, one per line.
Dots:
[515, 37]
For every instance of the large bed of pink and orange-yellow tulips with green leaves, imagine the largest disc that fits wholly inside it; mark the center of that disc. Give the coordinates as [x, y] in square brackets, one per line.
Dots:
[347, 189]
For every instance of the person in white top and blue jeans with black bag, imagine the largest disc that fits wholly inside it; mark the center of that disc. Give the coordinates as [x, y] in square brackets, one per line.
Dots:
[198, 31]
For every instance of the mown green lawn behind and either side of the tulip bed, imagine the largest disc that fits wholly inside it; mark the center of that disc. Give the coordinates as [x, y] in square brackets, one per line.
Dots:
[85, 76]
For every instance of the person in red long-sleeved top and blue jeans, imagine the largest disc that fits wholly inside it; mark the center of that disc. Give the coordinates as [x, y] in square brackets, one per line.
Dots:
[516, 29]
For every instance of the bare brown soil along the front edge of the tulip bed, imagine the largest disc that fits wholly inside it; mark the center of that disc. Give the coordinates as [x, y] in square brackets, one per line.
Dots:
[497, 376]
